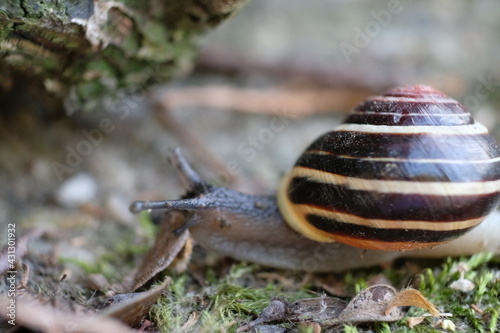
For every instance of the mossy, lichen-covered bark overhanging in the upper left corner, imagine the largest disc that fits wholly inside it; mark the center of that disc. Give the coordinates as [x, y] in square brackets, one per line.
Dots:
[82, 51]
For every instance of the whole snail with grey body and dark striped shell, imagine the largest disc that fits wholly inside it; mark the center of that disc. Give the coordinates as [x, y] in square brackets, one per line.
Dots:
[406, 171]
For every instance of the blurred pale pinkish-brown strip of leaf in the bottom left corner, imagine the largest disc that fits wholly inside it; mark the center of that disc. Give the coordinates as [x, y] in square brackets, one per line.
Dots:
[45, 317]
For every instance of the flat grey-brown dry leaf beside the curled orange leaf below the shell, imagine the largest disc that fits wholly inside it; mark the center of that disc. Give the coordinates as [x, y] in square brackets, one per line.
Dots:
[370, 305]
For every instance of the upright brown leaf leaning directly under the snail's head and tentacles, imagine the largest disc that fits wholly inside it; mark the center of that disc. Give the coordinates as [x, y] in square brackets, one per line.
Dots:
[165, 249]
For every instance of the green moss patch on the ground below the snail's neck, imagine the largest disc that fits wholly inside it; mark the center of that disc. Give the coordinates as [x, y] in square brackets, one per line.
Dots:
[222, 305]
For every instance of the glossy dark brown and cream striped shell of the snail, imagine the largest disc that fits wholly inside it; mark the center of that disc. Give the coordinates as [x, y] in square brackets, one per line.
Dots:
[409, 169]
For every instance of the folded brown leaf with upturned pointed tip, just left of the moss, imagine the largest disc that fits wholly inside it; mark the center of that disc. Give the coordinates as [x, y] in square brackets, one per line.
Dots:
[132, 308]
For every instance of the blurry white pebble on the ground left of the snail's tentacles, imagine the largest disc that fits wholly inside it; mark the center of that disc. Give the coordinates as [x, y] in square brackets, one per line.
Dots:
[76, 190]
